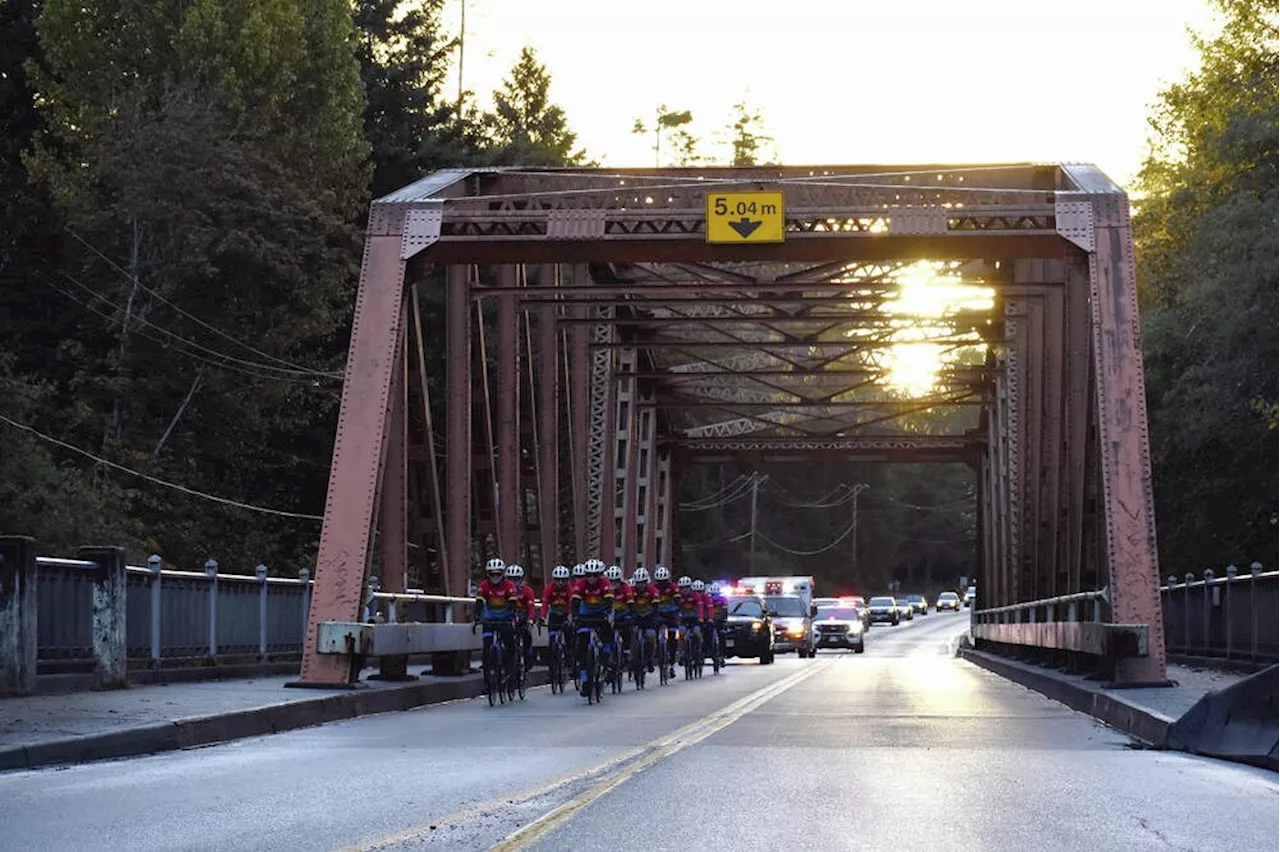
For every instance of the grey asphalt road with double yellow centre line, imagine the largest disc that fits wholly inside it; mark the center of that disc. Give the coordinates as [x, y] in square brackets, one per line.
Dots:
[903, 748]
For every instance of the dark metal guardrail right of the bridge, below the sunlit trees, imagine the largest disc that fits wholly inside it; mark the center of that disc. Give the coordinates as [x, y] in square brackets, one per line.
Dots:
[1232, 617]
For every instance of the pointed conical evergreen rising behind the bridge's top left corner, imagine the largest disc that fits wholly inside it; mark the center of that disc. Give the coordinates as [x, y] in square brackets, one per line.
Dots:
[527, 129]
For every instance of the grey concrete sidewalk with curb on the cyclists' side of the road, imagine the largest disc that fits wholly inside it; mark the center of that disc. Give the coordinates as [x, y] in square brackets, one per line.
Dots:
[48, 730]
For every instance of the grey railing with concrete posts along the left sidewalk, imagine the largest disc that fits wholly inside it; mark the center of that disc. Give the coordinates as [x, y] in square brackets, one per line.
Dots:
[98, 615]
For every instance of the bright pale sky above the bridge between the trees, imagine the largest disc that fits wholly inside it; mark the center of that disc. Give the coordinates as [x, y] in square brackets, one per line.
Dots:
[853, 81]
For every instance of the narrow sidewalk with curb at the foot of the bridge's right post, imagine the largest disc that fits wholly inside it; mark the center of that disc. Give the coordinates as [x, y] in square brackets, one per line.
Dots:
[1145, 713]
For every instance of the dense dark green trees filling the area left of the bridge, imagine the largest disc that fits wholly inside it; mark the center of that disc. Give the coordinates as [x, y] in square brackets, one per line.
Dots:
[185, 185]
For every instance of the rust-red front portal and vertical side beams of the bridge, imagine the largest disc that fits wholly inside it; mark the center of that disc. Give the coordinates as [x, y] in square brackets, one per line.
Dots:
[1063, 231]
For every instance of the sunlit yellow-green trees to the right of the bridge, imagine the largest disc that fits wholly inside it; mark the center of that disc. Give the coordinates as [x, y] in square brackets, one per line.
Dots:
[1210, 281]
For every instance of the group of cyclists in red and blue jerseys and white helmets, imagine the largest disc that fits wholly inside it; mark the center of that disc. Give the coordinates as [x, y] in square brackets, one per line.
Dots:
[601, 625]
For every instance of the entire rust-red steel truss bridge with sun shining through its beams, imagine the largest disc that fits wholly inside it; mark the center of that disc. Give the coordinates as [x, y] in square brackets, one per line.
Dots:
[597, 342]
